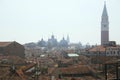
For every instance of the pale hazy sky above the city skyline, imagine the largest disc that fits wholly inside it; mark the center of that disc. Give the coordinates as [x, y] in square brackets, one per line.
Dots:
[27, 21]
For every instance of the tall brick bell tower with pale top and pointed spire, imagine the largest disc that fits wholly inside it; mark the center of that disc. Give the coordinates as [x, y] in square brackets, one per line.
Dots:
[104, 26]
